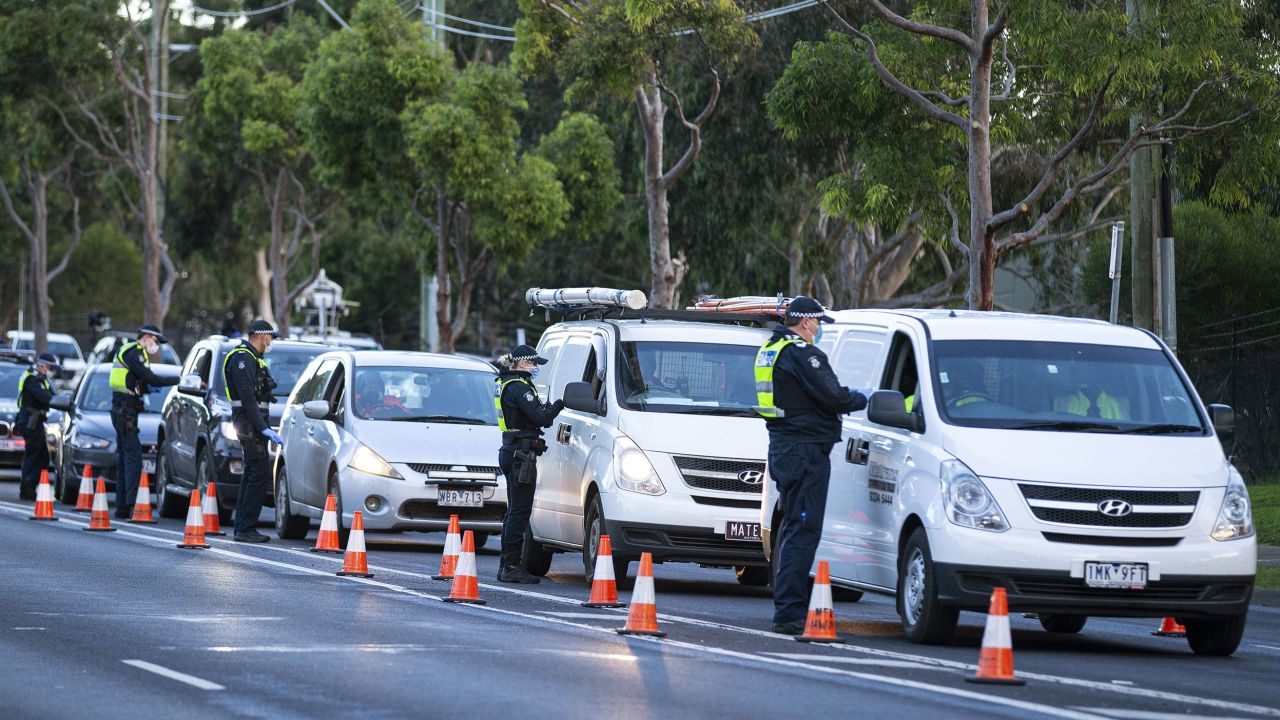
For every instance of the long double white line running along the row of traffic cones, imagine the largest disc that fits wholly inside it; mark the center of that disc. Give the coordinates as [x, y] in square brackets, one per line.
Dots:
[865, 650]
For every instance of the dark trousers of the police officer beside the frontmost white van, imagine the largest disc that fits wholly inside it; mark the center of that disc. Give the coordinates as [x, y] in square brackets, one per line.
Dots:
[802, 471]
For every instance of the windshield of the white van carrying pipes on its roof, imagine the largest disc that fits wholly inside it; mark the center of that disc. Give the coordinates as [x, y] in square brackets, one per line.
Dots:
[698, 379]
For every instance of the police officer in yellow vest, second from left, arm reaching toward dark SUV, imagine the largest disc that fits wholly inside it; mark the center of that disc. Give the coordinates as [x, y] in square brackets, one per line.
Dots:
[131, 381]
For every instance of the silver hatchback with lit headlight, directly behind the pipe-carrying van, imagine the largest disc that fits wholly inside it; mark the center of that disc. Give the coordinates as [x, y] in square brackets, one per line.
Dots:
[409, 439]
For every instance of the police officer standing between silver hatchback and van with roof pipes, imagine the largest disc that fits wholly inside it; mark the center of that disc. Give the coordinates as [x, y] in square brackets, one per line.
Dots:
[522, 417]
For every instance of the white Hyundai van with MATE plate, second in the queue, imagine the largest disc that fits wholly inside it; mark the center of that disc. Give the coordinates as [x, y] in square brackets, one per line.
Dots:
[659, 446]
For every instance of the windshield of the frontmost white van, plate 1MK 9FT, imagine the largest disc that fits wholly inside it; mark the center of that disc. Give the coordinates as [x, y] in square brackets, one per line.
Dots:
[1062, 386]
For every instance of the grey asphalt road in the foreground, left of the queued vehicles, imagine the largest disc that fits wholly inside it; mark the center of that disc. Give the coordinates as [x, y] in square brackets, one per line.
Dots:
[127, 626]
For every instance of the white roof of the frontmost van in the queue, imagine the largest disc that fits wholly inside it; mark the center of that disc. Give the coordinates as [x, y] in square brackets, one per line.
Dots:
[975, 325]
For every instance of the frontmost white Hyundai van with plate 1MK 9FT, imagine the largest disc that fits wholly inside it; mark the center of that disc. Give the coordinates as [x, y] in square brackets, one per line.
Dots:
[1069, 462]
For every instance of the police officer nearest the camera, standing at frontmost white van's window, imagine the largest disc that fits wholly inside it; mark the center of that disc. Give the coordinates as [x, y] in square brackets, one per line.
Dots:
[802, 402]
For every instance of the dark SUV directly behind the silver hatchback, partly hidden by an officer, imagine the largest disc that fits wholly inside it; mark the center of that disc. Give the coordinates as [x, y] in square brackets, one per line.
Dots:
[198, 443]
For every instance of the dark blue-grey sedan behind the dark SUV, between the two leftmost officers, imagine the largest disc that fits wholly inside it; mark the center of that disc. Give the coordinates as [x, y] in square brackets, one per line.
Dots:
[86, 436]
